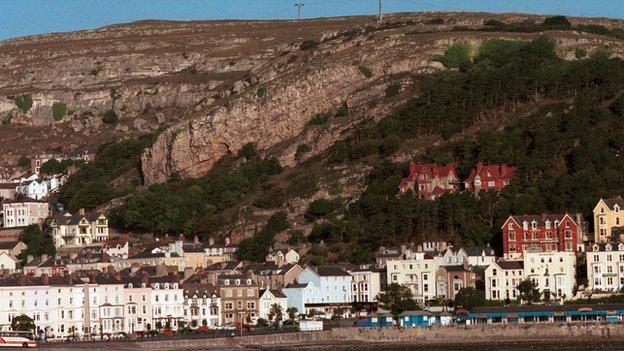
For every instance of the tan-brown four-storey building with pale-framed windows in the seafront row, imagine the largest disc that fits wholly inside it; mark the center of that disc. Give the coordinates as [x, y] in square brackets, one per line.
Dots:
[239, 299]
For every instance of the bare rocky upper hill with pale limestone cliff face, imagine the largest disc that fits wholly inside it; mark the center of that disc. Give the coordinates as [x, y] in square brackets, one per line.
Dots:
[212, 87]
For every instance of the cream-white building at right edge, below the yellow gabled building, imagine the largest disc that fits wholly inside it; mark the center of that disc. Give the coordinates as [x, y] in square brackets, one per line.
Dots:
[605, 267]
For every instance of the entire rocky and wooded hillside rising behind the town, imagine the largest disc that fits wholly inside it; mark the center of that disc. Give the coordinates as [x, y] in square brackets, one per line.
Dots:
[269, 135]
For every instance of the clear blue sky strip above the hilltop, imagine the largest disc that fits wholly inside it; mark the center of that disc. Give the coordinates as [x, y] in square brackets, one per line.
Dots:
[28, 17]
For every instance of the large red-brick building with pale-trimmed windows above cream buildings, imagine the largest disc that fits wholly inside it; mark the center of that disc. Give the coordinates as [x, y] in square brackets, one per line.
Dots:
[544, 233]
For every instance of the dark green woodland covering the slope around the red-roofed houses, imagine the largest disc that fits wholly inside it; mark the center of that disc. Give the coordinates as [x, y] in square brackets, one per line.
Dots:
[568, 151]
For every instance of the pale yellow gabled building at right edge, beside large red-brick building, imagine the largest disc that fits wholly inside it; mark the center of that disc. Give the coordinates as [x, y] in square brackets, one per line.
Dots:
[608, 216]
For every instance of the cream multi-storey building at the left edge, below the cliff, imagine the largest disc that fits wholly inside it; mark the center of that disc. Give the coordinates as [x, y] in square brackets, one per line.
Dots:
[24, 211]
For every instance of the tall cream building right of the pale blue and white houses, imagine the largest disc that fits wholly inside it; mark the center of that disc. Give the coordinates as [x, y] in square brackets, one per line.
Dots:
[417, 274]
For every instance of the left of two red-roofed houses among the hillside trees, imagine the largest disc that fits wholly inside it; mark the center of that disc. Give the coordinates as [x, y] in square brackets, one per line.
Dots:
[428, 181]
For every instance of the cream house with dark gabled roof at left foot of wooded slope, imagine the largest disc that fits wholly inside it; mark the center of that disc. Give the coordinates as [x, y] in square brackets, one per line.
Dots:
[79, 229]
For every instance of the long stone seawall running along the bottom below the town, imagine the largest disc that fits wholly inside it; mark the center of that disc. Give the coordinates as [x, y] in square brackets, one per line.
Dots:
[344, 338]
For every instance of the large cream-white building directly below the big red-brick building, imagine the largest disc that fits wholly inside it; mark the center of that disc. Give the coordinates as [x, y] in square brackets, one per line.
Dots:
[554, 273]
